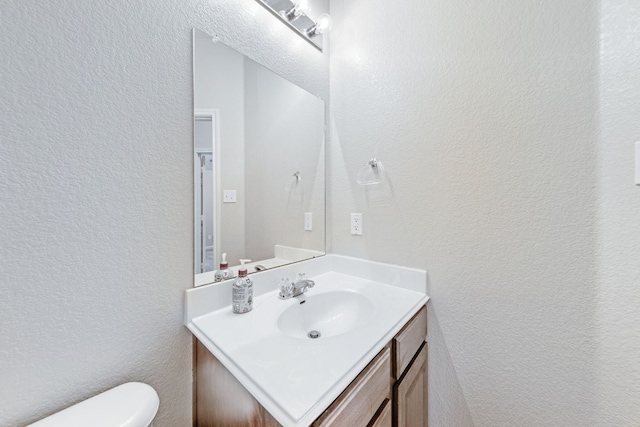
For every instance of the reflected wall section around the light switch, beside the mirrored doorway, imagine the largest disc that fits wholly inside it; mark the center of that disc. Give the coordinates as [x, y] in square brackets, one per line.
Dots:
[218, 84]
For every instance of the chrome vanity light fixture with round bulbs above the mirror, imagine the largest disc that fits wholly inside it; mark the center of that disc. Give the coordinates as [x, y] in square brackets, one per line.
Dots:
[294, 13]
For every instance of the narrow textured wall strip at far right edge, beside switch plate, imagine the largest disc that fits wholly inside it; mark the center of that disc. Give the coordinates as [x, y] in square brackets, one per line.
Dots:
[619, 243]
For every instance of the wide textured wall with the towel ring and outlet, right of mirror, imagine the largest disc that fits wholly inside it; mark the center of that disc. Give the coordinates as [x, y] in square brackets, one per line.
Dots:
[485, 116]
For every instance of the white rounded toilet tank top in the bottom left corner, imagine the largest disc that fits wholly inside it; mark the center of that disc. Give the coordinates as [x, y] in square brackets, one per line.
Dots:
[127, 405]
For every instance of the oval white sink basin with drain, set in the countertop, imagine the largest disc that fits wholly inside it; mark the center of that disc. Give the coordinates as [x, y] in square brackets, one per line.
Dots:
[326, 314]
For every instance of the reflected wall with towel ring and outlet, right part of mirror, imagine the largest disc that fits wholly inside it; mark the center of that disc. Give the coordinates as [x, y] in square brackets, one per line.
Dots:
[284, 132]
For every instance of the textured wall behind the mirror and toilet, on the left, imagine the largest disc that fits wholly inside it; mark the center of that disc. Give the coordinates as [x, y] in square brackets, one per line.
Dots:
[96, 191]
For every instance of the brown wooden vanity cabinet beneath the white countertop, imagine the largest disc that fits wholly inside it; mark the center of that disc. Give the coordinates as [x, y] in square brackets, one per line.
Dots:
[390, 392]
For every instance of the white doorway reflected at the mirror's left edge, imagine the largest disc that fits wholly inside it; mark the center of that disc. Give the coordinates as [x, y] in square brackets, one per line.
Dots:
[206, 241]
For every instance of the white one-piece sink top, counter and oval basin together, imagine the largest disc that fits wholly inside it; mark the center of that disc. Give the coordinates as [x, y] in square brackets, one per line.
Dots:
[269, 351]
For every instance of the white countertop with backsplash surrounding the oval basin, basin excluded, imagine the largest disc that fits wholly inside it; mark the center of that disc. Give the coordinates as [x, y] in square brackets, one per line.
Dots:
[296, 379]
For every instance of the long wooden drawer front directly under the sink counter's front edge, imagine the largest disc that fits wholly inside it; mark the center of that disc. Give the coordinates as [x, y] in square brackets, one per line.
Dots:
[361, 400]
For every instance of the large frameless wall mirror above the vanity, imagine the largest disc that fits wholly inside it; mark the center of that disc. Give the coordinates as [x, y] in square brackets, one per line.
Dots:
[259, 172]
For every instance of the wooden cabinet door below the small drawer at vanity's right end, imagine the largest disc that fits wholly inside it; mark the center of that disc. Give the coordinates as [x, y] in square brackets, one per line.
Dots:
[410, 394]
